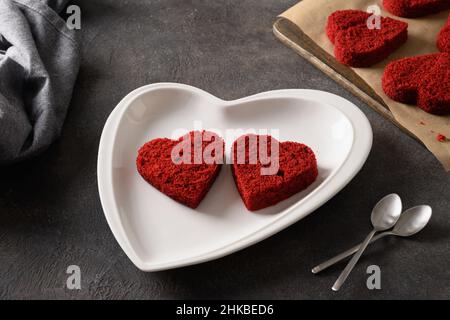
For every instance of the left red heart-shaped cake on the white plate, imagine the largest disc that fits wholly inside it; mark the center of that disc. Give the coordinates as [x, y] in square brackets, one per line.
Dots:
[183, 169]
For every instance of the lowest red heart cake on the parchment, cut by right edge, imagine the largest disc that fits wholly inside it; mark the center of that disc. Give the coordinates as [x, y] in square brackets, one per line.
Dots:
[422, 80]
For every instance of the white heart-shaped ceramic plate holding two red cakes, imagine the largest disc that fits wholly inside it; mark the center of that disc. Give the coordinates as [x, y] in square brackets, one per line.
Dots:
[158, 233]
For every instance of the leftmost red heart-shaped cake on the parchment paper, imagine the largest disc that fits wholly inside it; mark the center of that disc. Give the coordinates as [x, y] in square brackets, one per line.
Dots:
[358, 43]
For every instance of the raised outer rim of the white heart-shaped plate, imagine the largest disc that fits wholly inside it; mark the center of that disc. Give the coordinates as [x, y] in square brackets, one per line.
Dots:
[357, 156]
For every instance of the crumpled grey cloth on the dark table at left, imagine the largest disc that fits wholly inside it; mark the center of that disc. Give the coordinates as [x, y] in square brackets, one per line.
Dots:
[39, 63]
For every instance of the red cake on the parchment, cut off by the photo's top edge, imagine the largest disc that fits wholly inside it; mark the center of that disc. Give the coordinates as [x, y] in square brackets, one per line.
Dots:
[415, 8]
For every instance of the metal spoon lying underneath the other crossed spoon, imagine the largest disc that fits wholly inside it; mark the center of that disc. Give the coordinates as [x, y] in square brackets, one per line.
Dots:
[411, 222]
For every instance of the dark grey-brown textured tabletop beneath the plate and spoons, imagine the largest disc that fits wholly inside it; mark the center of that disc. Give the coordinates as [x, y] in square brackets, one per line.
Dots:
[50, 212]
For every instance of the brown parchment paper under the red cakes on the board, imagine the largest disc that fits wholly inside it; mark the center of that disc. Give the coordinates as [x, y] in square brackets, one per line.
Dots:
[311, 17]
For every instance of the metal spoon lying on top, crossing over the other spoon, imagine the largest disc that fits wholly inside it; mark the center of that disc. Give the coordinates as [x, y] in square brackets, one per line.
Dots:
[384, 216]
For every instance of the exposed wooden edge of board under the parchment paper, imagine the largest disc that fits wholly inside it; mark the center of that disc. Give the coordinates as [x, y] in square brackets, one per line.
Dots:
[289, 34]
